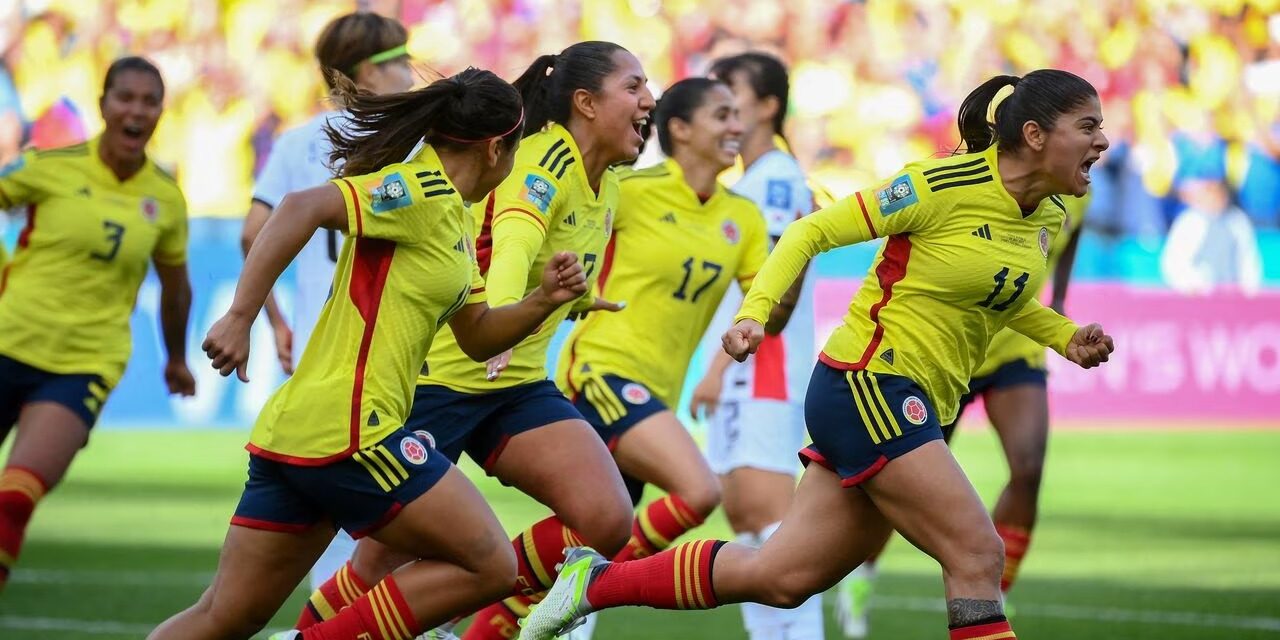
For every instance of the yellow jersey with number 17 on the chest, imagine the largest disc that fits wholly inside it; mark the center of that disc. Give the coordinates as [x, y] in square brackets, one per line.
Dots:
[671, 258]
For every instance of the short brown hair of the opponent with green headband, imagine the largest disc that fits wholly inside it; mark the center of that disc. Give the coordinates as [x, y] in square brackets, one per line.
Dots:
[353, 39]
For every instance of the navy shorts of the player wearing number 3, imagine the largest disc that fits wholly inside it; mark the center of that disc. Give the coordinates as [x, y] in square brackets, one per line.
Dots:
[22, 385]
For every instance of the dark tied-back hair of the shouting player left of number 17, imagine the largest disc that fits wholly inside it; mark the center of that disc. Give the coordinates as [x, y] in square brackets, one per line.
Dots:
[550, 84]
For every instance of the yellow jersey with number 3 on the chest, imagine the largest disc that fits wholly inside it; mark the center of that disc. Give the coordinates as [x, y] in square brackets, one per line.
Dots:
[67, 296]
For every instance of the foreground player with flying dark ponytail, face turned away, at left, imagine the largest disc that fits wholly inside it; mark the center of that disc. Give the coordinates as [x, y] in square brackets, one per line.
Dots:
[331, 449]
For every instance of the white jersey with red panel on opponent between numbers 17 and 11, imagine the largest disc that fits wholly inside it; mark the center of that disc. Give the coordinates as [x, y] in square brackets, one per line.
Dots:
[780, 371]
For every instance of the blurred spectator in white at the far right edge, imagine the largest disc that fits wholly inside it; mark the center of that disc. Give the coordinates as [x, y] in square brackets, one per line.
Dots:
[1212, 244]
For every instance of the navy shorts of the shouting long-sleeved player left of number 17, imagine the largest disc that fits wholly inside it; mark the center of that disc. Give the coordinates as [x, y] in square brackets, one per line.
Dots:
[482, 424]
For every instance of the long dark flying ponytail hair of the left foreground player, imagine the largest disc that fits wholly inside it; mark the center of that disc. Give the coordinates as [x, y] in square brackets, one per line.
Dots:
[465, 109]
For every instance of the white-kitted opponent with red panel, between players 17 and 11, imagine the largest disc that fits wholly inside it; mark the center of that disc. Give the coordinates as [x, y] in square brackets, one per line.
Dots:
[756, 409]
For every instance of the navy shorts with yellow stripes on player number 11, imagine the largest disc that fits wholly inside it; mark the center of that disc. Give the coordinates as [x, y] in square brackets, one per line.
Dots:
[861, 420]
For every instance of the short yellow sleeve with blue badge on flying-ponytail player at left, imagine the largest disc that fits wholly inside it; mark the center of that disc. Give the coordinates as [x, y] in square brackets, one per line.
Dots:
[395, 204]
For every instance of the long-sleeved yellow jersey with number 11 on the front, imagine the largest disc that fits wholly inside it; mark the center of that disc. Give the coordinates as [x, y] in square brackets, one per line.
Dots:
[962, 260]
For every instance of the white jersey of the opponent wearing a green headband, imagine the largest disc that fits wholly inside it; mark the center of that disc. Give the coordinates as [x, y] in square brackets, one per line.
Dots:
[299, 162]
